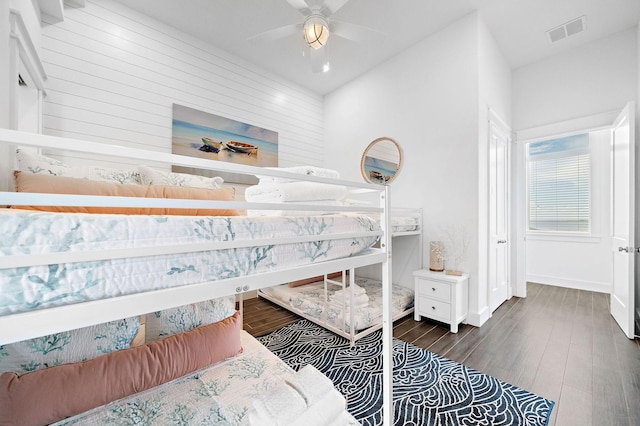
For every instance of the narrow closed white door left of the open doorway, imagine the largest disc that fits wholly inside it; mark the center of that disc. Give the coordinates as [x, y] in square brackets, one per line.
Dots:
[498, 215]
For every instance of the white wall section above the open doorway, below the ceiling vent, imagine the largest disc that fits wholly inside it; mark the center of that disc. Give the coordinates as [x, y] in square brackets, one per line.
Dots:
[598, 77]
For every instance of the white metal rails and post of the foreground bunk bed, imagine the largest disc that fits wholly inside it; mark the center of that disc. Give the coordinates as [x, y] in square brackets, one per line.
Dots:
[26, 325]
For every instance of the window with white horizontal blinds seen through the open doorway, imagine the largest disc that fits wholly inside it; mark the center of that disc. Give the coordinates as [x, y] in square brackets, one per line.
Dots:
[559, 190]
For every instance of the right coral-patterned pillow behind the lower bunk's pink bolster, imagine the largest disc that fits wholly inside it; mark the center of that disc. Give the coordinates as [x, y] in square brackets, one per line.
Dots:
[184, 318]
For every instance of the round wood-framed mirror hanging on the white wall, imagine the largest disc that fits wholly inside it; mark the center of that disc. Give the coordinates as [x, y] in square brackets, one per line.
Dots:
[381, 161]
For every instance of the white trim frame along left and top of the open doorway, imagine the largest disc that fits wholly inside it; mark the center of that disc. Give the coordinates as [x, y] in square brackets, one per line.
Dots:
[519, 211]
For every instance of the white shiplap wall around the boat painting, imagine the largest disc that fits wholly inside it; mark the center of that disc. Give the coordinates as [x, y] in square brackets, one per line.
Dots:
[114, 75]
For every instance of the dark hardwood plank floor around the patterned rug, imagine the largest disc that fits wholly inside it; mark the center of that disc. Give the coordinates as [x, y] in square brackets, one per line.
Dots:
[558, 343]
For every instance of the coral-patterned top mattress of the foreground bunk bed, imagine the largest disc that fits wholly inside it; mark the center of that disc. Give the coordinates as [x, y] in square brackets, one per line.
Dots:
[26, 288]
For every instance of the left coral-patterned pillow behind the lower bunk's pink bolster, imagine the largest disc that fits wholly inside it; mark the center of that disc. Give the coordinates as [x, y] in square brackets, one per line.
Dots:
[68, 346]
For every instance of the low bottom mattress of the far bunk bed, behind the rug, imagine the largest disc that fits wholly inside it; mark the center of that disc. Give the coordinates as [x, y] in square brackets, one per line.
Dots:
[310, 300]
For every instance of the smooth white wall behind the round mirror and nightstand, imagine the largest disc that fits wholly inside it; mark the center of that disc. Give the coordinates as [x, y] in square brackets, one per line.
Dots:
[428, 99]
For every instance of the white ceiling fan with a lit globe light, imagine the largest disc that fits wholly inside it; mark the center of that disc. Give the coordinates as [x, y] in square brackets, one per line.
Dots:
[316, 28]
